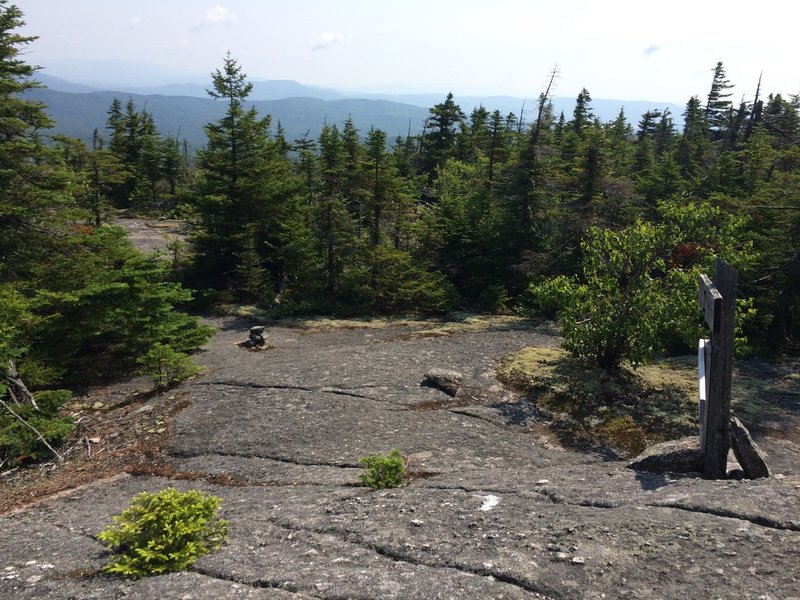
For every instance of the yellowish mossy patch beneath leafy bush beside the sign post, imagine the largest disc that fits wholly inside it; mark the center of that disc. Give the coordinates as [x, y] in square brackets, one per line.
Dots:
[626, 412]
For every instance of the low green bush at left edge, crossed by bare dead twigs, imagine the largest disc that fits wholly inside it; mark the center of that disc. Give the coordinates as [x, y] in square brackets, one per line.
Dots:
[19, 443]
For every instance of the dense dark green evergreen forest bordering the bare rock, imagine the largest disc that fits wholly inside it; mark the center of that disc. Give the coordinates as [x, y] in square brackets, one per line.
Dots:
[605, 225]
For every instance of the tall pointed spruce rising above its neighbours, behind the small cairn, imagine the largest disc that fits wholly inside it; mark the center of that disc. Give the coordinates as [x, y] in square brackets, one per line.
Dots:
[244, 195]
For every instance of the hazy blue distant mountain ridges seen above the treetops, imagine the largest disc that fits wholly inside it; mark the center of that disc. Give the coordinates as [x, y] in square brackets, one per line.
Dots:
[183, 109]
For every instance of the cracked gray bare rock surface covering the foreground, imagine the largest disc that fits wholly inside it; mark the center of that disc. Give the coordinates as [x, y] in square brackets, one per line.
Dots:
[490, 513]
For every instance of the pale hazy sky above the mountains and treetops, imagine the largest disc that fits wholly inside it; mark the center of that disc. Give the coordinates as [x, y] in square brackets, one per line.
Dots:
[617, 49]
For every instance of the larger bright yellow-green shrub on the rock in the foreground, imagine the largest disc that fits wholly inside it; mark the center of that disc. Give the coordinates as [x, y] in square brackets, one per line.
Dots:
[163, 532]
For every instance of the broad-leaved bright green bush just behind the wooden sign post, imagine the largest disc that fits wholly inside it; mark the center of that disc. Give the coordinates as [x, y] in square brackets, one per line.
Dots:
[637, 293]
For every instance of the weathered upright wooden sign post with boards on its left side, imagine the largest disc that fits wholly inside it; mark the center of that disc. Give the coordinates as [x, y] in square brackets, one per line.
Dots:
[718, 301]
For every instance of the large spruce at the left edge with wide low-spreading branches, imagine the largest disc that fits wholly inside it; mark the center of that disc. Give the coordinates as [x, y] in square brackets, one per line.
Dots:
[76, 300]
